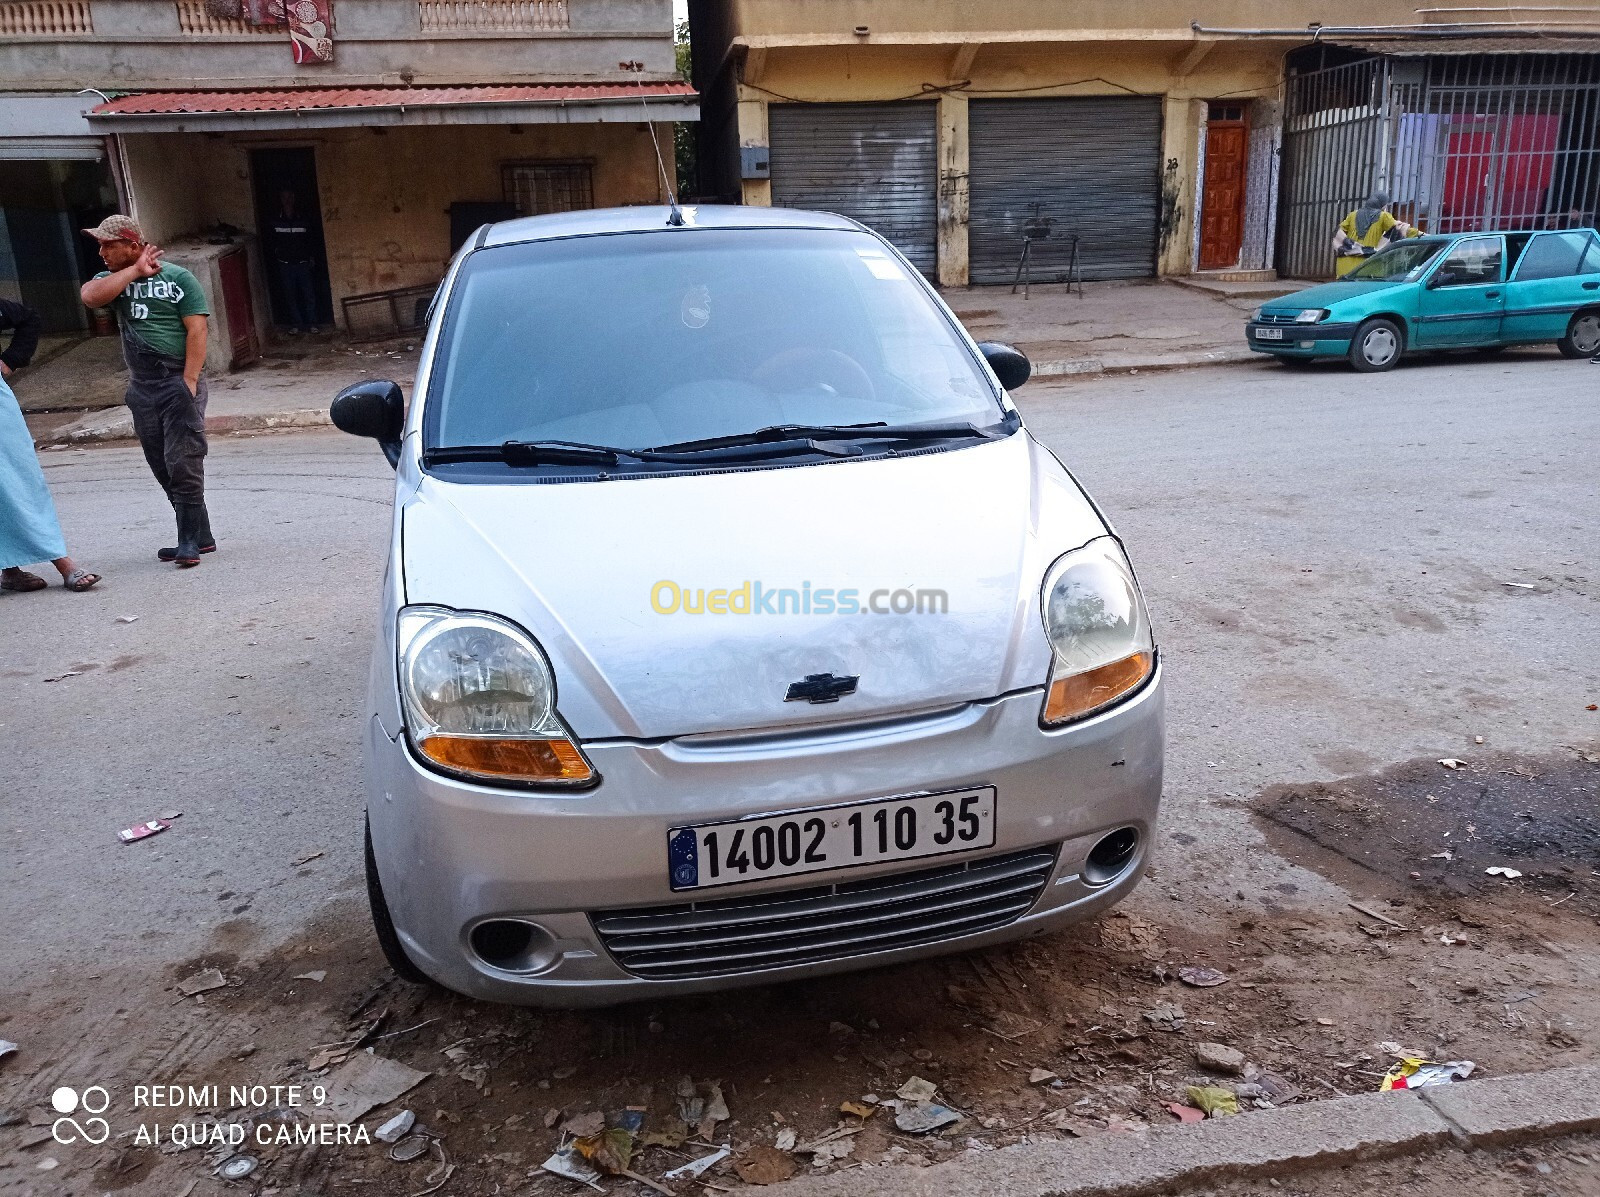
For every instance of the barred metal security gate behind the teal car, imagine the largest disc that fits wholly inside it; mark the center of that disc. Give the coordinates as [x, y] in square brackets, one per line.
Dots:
[1458, 142]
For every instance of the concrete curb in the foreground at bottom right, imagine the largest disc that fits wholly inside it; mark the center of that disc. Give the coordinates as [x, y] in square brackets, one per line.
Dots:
[1372, 1126]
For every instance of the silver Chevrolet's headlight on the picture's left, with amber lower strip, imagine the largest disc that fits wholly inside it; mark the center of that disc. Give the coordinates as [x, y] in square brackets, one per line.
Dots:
[481, 700]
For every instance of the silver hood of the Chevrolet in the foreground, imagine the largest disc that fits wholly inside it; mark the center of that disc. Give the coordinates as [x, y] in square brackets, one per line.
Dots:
[577, 564]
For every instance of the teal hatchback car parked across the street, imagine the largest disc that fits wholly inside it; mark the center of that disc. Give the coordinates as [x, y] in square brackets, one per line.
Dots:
[1465, 292]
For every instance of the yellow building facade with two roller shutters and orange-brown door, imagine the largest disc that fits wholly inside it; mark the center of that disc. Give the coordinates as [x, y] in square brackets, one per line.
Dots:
[1108, 140]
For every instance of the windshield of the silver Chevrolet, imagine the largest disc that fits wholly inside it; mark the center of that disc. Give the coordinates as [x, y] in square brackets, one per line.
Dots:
[647, 340]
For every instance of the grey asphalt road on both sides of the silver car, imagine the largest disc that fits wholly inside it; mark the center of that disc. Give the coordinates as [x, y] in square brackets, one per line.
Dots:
[1345, 572]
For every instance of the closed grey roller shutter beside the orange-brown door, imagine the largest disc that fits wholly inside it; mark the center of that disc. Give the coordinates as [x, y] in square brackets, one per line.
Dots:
[1092, 167]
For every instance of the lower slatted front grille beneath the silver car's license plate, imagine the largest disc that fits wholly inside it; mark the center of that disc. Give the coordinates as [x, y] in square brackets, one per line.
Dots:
[825, 923]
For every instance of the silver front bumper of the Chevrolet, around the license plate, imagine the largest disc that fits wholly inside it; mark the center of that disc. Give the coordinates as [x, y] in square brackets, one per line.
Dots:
[452, 854]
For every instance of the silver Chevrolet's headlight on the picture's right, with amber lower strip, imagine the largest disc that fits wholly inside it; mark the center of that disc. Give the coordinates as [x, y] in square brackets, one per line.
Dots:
[1100, 633]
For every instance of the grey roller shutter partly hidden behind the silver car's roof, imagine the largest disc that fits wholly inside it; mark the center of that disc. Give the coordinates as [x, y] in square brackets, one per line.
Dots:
[876, 164]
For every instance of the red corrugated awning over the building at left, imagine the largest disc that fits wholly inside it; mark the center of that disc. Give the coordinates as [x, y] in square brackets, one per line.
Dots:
[343, 108]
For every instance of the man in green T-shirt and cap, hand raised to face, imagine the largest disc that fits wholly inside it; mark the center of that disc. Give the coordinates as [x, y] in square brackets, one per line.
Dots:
[162, 313]
